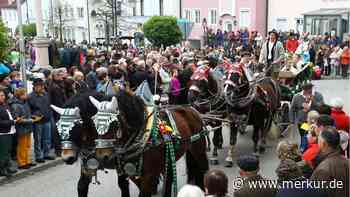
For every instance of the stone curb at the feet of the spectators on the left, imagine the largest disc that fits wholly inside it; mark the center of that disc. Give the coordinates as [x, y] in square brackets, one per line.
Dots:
[25, 173]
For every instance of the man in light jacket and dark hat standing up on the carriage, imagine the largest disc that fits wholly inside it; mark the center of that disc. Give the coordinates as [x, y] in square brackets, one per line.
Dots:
[272, 54]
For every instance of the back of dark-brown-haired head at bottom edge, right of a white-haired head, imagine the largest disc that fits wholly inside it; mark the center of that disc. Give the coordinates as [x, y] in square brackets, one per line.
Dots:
[215, 183]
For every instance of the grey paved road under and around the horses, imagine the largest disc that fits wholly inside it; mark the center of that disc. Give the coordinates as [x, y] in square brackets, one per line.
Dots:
[61, 180]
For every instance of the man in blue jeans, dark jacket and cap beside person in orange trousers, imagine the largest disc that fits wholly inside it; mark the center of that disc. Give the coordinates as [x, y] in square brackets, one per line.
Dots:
[40, 107]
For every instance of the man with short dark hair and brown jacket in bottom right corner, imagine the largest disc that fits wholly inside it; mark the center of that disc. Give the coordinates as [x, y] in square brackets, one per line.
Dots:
[333, 166]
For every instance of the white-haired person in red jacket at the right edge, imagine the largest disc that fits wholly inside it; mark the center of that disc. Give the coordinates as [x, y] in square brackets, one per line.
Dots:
[341, 119]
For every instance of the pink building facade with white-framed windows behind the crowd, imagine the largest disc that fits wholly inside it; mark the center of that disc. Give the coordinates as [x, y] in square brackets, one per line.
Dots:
[227, 15]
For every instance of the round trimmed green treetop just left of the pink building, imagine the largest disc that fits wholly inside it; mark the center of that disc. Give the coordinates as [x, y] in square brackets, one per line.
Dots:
[162, 30]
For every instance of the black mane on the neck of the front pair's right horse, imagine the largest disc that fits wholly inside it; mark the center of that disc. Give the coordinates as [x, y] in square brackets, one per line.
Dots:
[132, 108]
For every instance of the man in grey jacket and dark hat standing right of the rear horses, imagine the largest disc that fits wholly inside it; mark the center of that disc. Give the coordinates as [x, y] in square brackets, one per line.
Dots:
[303, 102]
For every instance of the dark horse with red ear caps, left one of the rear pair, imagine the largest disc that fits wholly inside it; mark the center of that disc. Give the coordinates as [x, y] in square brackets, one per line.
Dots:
[205, 94]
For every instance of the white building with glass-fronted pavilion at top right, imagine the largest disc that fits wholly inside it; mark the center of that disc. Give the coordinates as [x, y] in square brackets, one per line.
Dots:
[286, 14]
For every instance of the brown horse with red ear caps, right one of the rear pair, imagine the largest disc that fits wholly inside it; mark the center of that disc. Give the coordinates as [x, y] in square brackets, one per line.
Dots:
[259, 100]
